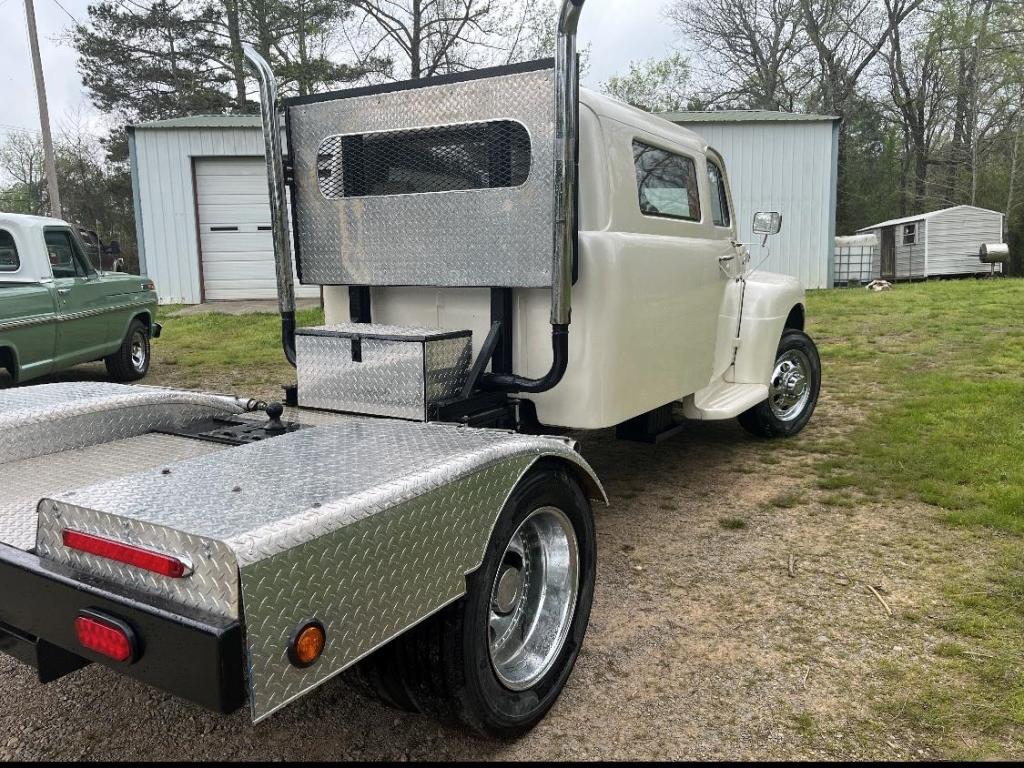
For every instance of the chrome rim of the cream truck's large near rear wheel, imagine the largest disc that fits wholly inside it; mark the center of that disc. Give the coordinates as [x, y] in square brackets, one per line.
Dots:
[533, 599]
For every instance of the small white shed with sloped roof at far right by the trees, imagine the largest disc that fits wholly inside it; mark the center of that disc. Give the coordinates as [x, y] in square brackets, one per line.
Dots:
[945, 243]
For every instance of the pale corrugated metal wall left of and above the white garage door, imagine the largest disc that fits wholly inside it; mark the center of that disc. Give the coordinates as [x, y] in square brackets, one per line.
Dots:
[167, 204]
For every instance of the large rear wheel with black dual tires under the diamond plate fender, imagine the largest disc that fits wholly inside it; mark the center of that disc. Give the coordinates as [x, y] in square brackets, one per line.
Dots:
[452, 668]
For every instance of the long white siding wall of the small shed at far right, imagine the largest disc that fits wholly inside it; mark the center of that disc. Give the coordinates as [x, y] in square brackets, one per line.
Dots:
[956, 236]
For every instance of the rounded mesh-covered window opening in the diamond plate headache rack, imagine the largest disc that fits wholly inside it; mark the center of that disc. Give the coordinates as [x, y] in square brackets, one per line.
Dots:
[453, 158]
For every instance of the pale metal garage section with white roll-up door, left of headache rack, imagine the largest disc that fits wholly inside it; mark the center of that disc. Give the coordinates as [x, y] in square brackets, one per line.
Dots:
[202, 210]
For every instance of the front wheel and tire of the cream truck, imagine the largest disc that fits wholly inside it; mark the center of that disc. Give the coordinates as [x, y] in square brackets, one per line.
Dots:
[793, 392]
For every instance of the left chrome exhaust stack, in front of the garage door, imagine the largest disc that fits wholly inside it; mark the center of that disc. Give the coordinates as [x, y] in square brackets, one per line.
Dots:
[279, 206]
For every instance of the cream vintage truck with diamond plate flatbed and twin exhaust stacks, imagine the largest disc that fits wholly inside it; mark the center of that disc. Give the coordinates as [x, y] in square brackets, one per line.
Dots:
[501, 253]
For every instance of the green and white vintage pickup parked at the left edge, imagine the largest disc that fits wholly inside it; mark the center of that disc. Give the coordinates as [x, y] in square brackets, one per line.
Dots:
[58, 311]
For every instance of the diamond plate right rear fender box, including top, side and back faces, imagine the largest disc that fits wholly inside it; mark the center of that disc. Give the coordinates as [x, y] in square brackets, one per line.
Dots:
[371, 525]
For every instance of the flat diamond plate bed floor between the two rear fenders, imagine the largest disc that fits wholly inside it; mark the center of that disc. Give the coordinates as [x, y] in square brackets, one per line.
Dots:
[28, 481]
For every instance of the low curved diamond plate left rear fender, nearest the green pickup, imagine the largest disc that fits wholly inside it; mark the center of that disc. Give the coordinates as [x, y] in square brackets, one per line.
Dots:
[47, 419]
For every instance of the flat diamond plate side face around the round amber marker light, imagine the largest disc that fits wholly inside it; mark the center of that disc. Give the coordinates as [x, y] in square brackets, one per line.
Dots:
[368, 581]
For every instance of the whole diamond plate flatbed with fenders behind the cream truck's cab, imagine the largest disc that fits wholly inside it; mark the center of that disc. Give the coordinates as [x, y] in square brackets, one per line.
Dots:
[370, 526]
